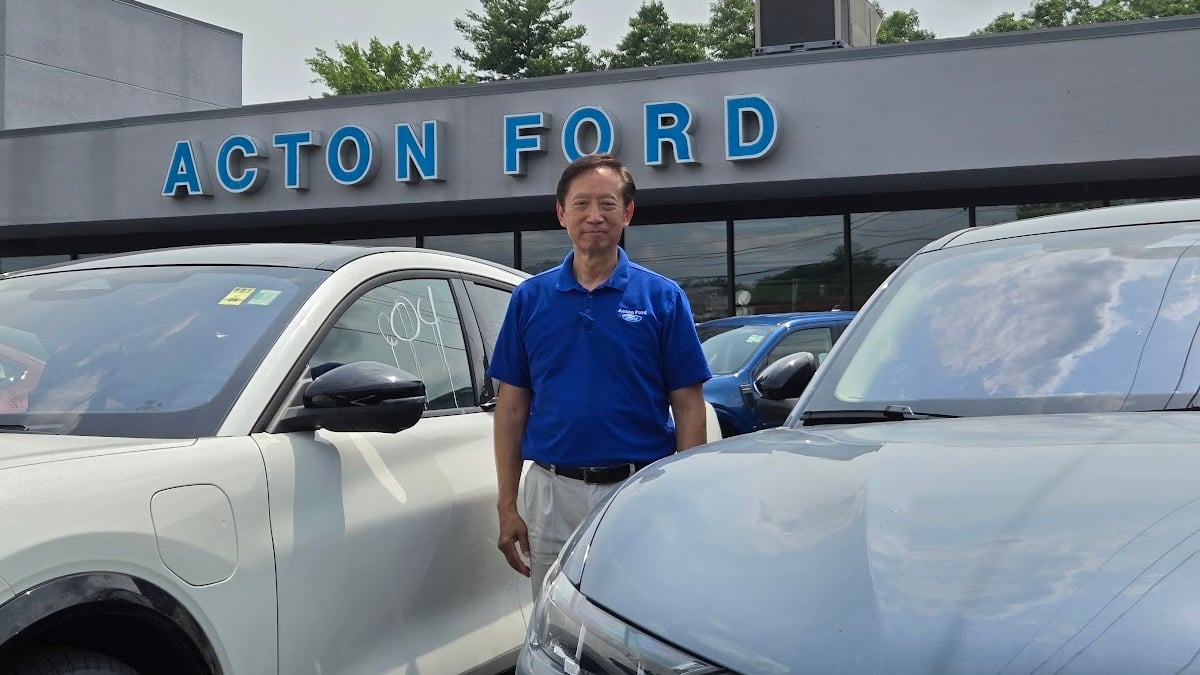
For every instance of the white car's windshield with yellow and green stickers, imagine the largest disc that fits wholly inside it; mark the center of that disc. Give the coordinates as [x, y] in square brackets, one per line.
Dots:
[151, 353]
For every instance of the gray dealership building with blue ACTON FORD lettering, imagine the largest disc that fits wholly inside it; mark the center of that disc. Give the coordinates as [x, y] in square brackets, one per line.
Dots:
[794, 180]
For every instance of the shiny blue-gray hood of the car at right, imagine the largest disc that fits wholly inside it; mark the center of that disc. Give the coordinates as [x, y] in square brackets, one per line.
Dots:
[1058, 543]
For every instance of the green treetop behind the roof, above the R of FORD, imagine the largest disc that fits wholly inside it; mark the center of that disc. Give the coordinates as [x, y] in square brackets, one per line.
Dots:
[655, 41]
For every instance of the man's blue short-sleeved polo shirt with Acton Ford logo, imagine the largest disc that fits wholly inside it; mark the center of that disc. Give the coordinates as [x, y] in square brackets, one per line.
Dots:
[601, 365]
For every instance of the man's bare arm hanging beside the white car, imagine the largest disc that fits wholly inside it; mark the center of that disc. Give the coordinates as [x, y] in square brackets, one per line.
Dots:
[508, 431]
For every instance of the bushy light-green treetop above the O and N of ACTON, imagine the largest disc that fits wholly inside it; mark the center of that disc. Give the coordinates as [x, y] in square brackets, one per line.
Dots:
[381, 68]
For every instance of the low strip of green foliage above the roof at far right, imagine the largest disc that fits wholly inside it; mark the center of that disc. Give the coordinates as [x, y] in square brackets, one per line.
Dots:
[1057, 14]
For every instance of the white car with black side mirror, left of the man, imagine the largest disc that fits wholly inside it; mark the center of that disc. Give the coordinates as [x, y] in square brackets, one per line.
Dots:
[254, 459]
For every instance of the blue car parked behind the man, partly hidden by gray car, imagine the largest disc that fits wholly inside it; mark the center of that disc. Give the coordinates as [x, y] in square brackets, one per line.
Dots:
[740, 348]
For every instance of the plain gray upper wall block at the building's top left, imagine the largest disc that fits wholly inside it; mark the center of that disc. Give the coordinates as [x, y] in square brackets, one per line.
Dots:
[85, 61]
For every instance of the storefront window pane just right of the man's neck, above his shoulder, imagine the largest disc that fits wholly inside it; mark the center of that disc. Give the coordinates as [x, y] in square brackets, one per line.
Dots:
[693, 254]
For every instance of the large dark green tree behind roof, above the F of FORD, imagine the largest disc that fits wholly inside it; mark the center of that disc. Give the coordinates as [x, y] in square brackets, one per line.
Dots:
[519, 39]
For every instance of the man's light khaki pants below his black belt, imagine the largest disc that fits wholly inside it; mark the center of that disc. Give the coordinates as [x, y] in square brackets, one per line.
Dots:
[554, 509]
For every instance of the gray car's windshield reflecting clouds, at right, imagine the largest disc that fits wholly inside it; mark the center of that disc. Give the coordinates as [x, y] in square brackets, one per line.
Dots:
[1089, 321]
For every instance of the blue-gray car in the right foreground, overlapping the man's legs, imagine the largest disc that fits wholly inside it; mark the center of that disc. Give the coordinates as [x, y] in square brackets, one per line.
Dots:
[997, 470]
